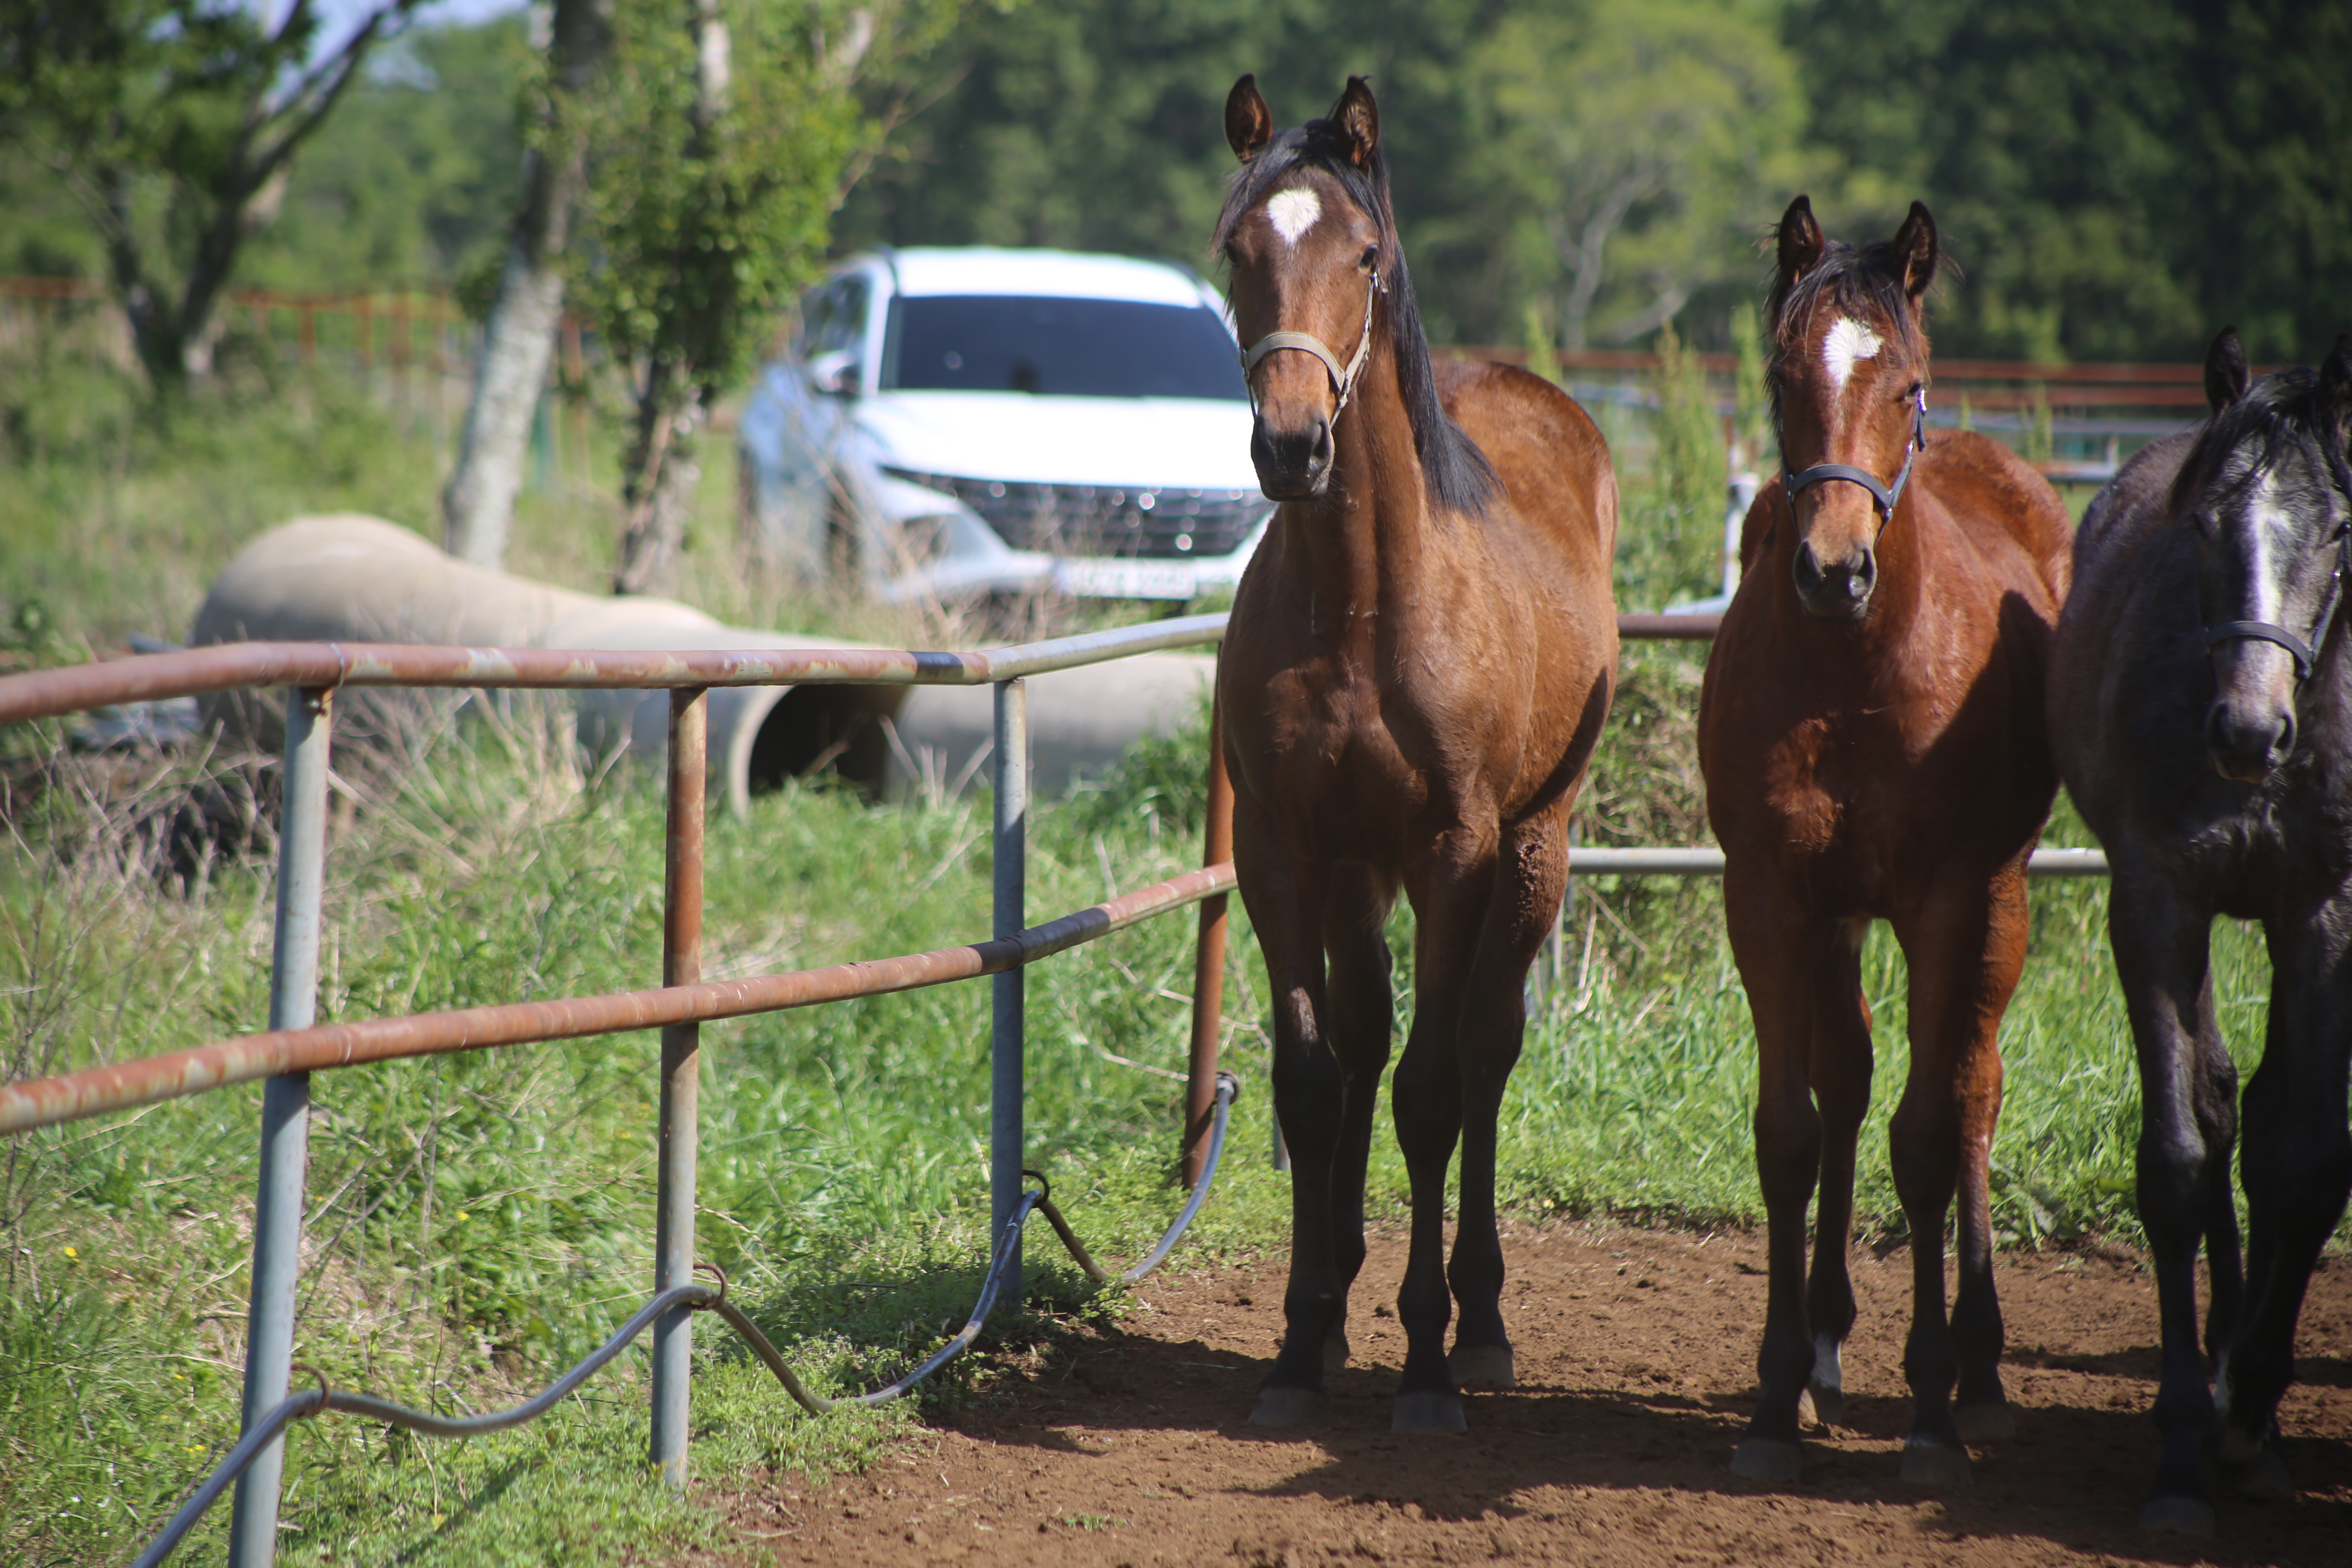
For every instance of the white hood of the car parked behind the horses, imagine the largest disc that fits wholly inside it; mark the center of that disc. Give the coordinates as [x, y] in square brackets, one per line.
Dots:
[1142, 443]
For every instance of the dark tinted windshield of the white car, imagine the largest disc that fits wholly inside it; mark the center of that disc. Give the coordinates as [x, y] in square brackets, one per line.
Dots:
[1057, 347]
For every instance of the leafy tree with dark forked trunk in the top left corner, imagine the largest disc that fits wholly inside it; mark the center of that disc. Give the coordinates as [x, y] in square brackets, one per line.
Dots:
[175, 126]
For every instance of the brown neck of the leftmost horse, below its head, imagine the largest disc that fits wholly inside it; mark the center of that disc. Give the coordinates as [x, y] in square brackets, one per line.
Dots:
[1365, 537]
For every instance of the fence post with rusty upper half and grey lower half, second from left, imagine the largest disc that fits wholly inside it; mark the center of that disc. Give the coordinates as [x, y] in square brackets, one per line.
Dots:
[681, 1083]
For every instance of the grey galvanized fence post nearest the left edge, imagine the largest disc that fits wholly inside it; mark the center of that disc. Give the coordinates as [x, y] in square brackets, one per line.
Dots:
[286, 1115]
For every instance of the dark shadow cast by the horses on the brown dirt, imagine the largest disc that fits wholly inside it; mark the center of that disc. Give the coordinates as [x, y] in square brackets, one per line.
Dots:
[2073, 1477]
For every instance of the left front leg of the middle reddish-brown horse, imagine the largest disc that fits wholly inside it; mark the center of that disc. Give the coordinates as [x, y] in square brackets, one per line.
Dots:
[1779, 949]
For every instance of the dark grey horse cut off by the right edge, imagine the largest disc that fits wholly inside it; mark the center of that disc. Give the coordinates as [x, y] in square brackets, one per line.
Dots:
[2203, 718]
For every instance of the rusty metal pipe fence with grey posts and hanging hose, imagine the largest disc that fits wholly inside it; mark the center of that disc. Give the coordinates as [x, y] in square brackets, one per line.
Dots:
[293, 1047]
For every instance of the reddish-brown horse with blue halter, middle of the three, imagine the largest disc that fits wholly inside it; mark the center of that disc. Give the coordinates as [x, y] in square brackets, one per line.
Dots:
[1871, 735]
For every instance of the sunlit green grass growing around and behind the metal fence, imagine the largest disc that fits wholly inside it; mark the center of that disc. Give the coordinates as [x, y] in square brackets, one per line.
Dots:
[481, 1221]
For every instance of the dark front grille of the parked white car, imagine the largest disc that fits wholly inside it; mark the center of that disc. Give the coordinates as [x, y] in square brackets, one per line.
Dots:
[1104, 521]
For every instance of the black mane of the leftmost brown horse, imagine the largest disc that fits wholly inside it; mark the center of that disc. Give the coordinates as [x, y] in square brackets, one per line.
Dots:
[1455, 471]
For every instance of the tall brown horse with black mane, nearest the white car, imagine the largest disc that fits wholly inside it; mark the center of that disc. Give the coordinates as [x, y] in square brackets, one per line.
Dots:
[1419, 662]
